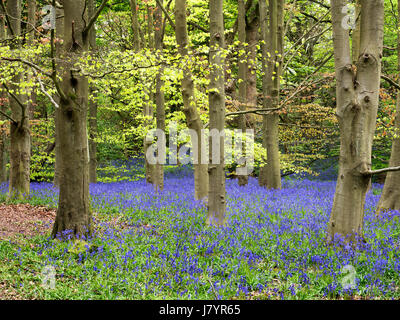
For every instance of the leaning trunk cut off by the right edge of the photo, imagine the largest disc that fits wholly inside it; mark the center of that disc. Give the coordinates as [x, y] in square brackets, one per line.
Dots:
[390, 198]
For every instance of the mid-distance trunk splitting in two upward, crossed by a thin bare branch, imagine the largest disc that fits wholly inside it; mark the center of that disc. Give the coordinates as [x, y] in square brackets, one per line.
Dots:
[270, 175]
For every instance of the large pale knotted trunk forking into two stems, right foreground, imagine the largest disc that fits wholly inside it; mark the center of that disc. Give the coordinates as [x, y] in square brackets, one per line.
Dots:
[357, 96]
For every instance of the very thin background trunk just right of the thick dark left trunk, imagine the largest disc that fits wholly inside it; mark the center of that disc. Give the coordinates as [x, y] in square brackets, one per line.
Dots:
[92, 107]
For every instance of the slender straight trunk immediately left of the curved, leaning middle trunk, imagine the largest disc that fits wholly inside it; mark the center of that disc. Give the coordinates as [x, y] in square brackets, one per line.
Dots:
[158, 36]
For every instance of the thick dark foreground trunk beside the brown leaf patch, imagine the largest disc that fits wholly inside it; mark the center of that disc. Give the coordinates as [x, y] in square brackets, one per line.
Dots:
[73, 211]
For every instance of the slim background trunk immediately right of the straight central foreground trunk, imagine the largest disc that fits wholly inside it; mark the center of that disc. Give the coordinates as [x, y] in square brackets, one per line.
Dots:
[242, 179]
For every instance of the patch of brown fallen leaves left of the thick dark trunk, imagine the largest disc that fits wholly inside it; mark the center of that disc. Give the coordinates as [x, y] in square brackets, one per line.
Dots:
[25, 220]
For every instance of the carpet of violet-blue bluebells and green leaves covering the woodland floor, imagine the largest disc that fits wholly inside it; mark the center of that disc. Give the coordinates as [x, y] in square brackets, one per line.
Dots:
[157, 246]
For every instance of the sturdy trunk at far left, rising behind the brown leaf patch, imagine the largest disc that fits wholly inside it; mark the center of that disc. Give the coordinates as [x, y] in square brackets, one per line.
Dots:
[20, 140]
